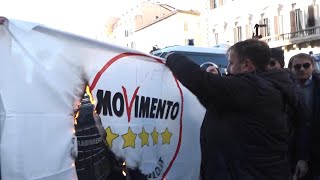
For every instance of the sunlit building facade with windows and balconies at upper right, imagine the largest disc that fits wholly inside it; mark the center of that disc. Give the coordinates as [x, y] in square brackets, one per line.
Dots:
[292, 25]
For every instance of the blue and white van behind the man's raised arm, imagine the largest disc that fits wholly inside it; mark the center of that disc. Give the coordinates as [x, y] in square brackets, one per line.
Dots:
[200, 55]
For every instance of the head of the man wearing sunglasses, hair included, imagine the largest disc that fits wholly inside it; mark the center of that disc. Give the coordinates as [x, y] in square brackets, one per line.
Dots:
[302, 66]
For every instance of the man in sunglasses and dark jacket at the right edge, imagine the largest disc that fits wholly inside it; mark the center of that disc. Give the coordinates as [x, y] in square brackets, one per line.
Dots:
[302, 66]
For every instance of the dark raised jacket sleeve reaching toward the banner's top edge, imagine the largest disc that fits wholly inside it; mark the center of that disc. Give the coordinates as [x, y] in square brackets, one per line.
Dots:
[211, 89]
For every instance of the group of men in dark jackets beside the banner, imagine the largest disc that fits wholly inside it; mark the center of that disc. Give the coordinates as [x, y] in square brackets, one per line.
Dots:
[262, 119]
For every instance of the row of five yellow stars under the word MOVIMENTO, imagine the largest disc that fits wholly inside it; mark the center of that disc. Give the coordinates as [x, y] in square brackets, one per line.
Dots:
[129, 138]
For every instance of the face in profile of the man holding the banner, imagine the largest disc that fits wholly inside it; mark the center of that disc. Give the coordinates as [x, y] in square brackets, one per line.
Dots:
[235, 66]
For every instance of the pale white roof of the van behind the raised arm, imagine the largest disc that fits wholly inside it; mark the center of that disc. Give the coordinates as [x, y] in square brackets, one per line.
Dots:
[192, 49]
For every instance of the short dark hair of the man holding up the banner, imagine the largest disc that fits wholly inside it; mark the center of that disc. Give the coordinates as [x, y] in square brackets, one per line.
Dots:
[257, 51]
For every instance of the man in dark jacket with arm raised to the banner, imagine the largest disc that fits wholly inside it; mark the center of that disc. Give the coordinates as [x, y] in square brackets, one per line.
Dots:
[244, 134]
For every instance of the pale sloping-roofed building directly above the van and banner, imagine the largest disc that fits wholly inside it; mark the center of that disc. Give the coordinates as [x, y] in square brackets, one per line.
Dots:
[154, 24]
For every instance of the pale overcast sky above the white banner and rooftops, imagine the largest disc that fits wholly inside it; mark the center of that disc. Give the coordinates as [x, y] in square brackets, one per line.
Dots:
[84, 17]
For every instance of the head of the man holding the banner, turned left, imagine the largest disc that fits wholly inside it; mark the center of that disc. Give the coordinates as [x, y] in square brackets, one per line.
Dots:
[247, 56]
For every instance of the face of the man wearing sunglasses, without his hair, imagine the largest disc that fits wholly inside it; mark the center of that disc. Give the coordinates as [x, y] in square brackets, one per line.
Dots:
[302, 68]
